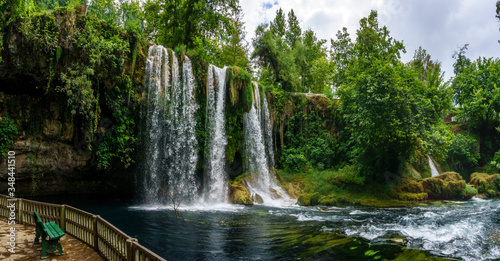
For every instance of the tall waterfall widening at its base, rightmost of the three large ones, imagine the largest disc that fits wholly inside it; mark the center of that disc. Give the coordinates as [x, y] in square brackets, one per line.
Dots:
[259, 158]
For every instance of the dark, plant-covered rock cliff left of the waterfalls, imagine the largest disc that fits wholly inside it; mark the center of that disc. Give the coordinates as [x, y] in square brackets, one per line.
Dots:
[71, 84]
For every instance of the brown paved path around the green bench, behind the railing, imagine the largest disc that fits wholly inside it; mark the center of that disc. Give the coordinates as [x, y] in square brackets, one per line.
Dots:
[27, 251]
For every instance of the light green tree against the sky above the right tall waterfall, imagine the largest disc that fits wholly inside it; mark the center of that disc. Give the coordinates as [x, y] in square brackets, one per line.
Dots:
[290, 59]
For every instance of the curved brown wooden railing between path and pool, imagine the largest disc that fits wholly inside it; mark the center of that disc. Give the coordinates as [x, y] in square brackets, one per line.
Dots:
[110, 242]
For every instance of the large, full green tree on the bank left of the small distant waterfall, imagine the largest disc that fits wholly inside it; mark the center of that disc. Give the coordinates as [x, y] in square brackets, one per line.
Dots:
[384, 102]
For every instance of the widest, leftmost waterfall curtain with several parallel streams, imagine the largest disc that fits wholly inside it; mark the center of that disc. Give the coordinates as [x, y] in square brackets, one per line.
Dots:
[171, 145]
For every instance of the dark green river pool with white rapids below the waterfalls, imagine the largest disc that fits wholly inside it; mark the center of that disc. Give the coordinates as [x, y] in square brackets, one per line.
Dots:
[469, 231]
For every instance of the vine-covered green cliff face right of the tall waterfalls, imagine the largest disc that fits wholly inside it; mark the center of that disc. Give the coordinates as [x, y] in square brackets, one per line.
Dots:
[306, 131]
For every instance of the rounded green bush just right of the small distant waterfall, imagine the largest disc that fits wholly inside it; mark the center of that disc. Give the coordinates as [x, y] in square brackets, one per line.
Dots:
[463, 155]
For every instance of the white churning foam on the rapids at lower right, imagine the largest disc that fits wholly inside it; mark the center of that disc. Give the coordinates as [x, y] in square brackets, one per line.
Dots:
[466, 232]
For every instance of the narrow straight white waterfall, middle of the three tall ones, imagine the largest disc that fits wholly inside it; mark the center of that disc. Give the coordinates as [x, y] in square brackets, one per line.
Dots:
[215, 174]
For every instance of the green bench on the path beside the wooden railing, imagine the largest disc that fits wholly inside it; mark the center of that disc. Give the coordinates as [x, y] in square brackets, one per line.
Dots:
[50, 233]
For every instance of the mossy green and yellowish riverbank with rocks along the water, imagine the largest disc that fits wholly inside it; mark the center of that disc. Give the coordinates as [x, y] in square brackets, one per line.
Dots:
[345, 187]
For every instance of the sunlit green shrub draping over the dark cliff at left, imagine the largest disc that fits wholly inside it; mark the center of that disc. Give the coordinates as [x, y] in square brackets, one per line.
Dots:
[104, 56]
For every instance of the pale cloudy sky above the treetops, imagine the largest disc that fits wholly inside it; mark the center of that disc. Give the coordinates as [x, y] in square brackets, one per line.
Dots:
[441, 27]
